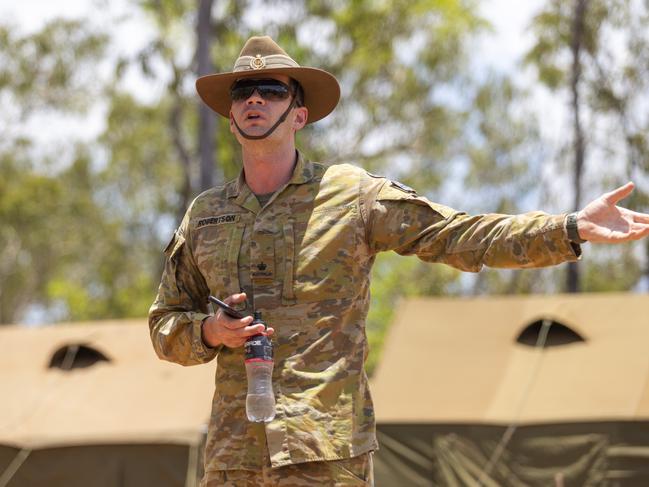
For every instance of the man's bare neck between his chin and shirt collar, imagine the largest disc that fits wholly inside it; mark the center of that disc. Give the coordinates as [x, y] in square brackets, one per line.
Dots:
[268, 167]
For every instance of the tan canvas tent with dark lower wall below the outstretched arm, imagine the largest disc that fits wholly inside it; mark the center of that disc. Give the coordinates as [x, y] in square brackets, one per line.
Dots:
[515, 391]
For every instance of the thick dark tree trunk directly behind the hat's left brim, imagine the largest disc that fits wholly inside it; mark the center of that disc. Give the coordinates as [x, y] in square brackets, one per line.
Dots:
[207, 120]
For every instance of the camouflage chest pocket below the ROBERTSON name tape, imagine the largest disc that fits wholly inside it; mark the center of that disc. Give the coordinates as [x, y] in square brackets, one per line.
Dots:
[217, 250]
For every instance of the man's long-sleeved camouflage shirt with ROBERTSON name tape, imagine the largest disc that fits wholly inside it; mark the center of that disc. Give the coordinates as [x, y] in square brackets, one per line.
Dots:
[305, 259]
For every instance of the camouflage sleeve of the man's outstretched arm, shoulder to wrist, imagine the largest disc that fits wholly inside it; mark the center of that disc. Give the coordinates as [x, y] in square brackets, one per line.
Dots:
[398, 219]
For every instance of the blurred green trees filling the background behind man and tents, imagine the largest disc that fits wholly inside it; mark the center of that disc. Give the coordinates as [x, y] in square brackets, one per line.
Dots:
[84, 221]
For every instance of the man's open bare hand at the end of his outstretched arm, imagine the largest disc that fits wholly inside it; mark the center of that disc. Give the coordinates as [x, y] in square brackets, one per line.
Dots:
[601, 221]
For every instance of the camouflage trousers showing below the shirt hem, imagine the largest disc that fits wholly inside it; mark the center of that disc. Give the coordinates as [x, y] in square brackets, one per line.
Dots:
[351, 472]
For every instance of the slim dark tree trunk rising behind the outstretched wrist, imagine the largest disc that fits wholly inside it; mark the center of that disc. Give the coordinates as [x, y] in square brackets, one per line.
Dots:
[573, 278]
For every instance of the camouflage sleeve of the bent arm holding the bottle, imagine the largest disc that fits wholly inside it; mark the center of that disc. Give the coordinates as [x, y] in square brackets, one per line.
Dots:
[177, 314]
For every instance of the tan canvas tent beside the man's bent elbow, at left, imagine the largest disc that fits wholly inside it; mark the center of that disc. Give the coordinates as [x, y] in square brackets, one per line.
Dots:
[90, 404]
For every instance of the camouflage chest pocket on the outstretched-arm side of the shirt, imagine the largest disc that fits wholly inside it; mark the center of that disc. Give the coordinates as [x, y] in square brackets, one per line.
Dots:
[320, 261]
